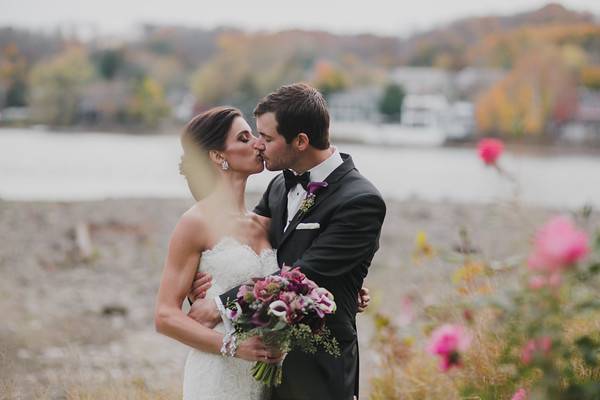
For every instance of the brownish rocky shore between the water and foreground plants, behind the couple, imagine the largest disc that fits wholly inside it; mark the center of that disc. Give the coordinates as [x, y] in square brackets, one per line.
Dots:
[78, 282]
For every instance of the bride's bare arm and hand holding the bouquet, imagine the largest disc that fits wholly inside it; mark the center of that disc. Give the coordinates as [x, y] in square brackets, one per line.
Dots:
[183, 256]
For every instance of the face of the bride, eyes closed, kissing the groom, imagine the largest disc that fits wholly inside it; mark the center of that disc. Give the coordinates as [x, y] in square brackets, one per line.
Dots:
[240, 151]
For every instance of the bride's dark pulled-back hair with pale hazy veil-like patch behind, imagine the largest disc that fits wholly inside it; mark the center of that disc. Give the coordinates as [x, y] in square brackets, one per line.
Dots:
[205, 132]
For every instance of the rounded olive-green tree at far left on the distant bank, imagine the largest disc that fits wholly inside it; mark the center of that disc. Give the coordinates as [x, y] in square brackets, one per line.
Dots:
[56, 86]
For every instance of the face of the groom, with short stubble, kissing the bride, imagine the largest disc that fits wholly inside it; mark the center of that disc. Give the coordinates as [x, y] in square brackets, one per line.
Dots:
[275, 151]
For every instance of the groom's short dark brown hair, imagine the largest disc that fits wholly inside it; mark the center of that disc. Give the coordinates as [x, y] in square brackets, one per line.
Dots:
[298, 108]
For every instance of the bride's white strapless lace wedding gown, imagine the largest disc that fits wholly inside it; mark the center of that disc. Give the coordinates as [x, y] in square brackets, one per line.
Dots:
[210, 376]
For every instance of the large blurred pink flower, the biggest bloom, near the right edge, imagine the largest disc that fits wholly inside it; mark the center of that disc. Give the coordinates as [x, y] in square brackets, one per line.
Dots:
[558, 245]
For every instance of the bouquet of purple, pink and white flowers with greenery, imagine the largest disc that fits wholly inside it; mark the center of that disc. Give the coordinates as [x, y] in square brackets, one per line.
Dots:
[288, 312]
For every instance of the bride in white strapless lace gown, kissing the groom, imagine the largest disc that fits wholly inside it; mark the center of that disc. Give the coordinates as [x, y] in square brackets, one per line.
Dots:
[218, 236]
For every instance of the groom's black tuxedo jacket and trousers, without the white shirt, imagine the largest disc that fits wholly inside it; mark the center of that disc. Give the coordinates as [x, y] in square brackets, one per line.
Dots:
[336, 255]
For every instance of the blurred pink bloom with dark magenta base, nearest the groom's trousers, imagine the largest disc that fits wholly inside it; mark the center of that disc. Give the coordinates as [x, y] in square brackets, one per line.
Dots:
[448, 341]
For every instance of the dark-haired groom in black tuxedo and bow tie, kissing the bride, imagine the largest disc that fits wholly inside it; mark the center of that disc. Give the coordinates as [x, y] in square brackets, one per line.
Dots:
[332, 240]
